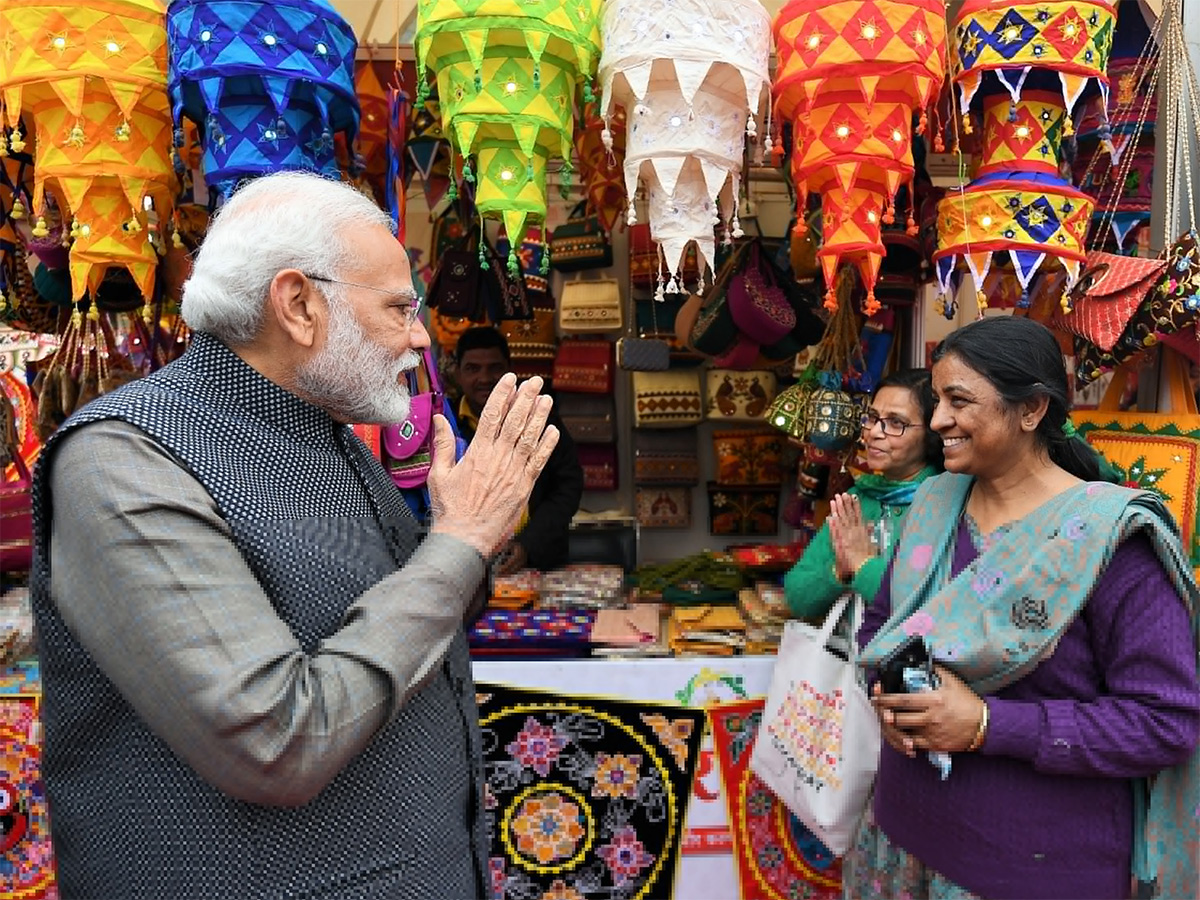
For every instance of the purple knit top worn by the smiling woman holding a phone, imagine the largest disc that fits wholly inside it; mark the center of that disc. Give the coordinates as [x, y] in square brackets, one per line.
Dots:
[1046, 808]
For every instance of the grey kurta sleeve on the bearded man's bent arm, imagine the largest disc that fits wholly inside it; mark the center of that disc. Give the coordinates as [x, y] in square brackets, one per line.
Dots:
[148, 579]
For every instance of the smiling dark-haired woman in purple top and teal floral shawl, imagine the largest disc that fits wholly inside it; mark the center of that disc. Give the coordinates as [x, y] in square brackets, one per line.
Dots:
[1064, 619]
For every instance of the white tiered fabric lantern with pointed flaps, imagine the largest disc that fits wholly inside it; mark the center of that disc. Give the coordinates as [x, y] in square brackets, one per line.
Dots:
[691, 75]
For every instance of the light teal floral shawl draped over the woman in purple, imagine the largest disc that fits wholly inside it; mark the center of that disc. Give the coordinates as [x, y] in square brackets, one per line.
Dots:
[1003, 615]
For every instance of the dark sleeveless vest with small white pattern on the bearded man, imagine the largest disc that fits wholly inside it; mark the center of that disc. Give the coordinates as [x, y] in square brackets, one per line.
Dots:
[320, 523]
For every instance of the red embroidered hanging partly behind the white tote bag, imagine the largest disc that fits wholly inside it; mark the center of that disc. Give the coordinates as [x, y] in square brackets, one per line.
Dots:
[778, 857]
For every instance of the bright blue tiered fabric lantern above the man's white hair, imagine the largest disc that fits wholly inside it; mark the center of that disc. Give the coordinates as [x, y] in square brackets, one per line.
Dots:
[268, 83]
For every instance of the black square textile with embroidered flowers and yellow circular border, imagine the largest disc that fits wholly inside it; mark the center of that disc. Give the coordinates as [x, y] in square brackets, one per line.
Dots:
[585, 797]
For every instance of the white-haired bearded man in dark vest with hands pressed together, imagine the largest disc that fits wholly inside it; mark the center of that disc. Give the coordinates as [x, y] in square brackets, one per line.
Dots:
[255, 671]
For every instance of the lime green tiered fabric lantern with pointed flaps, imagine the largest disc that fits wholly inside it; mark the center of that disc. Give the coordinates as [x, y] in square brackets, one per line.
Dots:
[507, 76]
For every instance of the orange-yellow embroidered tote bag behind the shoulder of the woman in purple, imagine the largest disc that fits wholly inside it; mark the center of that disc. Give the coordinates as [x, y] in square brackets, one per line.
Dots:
[1156, 452]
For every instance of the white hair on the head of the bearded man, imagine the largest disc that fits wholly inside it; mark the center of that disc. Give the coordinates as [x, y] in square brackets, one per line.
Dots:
[290, 220]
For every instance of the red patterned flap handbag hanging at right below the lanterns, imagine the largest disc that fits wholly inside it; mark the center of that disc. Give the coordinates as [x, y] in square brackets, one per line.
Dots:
[1107, 296]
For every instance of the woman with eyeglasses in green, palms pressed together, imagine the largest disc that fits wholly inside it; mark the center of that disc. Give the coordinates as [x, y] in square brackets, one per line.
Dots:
[851, 549]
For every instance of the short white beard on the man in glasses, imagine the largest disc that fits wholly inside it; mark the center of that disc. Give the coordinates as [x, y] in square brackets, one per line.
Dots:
[355, 379]
